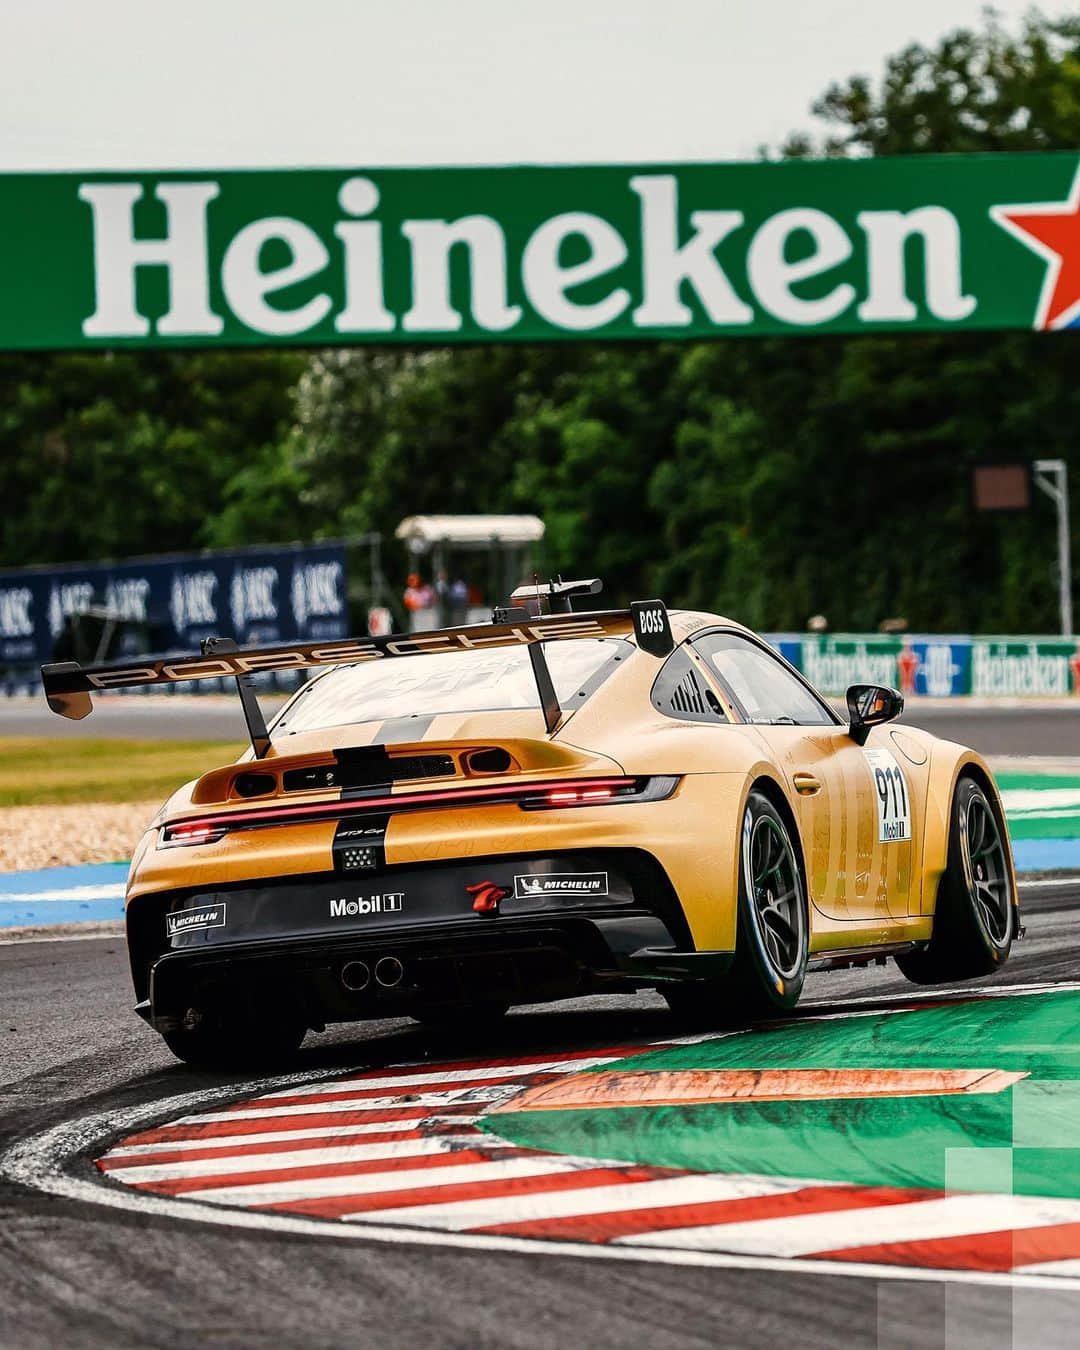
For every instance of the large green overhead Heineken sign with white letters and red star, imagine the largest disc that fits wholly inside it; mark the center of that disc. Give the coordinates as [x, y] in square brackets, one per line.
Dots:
[415, 256]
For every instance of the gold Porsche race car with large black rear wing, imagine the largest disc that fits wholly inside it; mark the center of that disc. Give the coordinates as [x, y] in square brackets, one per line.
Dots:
[450, 823]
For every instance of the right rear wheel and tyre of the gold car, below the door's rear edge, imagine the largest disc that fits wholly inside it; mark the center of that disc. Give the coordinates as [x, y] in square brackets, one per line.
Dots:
[773, 939]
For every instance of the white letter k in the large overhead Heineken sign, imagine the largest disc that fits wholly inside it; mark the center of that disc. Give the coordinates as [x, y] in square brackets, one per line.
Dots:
[666, 265]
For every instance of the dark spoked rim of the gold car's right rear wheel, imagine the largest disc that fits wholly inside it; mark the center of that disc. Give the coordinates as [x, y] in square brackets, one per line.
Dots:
[776, 893]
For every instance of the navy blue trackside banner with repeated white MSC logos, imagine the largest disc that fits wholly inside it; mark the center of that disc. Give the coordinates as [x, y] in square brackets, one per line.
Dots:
[172, 603]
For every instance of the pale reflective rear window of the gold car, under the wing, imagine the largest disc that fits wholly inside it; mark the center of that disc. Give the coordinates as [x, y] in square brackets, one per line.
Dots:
[452, 682]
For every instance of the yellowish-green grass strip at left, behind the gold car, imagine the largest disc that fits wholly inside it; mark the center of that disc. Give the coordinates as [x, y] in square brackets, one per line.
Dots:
[40, 772]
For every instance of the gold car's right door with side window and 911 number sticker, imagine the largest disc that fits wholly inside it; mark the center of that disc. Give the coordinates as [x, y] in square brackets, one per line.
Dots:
[859, 854]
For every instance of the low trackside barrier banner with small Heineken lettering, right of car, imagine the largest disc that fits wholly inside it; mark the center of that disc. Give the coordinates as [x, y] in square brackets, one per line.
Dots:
[938, 666]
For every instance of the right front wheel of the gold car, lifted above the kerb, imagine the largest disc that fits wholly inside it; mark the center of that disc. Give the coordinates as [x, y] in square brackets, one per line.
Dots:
[975, 921]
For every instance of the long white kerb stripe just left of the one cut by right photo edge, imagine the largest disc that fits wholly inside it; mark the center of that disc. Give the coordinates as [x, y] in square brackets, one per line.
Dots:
[623, 1198]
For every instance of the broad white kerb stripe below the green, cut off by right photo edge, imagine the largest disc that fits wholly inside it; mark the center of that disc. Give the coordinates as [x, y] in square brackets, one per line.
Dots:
[840, 1229]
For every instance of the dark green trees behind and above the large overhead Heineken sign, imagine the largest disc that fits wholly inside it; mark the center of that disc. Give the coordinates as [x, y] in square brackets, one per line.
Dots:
[766, 479]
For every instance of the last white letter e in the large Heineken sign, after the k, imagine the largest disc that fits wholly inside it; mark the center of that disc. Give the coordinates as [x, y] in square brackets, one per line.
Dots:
[773, 276]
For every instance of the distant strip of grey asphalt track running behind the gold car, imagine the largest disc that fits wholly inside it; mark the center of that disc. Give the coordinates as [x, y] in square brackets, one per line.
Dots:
[1012, 728]
